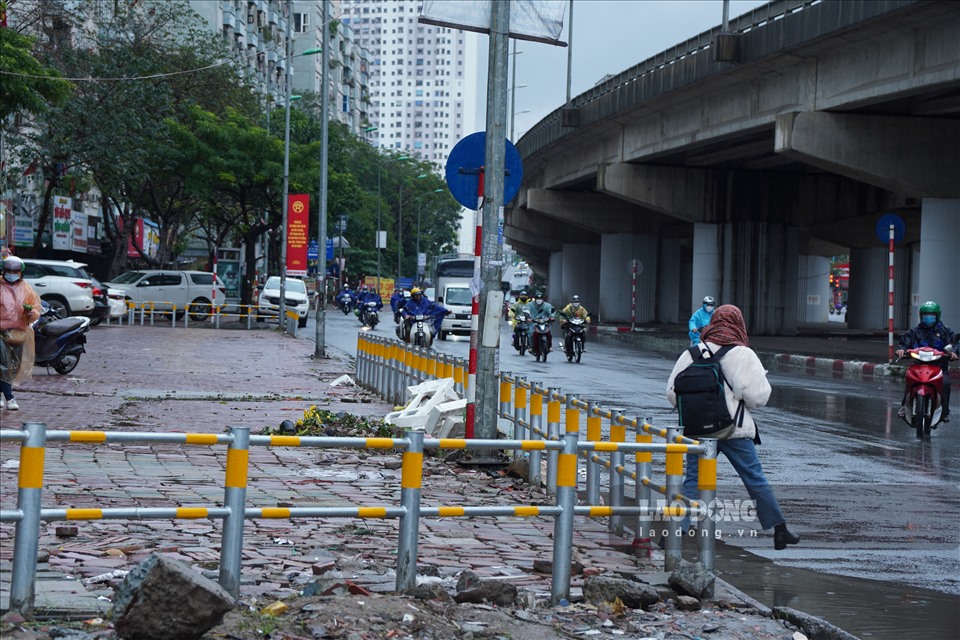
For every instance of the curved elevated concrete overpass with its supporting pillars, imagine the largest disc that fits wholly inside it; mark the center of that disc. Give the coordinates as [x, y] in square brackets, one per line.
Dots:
[735, 164]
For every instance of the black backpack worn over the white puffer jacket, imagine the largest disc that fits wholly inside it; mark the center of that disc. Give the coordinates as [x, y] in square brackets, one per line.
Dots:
[701, 399]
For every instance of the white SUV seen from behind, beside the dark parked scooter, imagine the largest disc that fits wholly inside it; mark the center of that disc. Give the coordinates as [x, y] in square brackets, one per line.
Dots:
[64, 284]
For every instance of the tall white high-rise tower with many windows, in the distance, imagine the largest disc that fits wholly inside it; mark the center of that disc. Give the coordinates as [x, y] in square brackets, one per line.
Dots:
[421, 91]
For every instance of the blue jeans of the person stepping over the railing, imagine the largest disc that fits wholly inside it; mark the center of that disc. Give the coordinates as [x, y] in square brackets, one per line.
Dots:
[742, 454]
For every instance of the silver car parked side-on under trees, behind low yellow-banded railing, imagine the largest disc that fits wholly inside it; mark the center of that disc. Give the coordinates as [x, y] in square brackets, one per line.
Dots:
[168, 290]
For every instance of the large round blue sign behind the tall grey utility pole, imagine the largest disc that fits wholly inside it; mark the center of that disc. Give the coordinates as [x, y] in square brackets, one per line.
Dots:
[465, 163]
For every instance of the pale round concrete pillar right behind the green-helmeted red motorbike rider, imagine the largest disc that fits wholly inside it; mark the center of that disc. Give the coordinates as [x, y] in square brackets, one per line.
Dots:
[940, 258]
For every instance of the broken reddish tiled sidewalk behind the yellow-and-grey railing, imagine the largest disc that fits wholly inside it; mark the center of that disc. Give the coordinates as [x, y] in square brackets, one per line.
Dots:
[200, 381]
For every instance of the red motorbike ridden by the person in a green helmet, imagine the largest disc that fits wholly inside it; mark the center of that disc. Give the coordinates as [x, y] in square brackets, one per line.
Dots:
[923, 400]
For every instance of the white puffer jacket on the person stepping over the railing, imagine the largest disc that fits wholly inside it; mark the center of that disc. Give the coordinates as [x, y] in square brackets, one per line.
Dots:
[747, 381]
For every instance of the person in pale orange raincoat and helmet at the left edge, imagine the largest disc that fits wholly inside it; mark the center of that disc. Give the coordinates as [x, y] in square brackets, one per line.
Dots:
[19, 307]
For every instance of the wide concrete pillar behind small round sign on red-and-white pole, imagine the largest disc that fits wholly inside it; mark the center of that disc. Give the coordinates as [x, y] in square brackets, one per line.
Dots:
[617, 250]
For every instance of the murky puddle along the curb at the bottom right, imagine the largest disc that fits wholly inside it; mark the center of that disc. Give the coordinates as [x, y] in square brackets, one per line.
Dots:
[865, 608]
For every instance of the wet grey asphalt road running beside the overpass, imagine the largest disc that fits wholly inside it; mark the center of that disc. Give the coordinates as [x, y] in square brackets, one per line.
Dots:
[869, 500]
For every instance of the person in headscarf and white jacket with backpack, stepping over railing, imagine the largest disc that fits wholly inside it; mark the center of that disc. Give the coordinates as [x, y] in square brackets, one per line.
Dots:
[747, 382]
